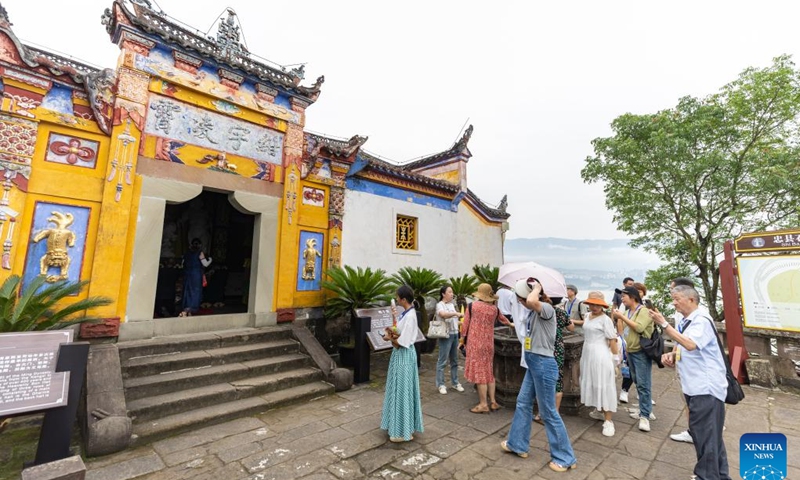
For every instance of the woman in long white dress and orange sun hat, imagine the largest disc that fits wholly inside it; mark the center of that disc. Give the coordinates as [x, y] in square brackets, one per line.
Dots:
[598, 382]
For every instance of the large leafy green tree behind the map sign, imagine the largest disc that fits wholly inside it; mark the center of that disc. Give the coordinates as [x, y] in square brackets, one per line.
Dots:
[684, 180]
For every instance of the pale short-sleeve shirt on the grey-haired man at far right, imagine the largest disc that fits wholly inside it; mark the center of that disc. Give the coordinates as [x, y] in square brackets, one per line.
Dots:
[702, 370]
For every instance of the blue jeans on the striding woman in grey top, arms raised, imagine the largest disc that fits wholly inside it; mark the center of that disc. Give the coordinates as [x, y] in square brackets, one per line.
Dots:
[540, 383]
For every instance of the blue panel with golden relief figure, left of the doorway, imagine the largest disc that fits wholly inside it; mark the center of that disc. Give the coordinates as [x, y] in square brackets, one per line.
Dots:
[62, 227]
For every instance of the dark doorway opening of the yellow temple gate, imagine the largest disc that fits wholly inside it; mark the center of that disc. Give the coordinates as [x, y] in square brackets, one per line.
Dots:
[209, 224]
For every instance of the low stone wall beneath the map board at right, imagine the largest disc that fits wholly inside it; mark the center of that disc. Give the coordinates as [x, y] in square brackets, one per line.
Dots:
[780, 348]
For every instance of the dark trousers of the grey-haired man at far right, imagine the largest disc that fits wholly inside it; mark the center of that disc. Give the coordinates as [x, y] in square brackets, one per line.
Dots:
[706, 419]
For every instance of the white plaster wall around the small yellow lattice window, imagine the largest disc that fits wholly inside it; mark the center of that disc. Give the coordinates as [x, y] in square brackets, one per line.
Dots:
[449, 242]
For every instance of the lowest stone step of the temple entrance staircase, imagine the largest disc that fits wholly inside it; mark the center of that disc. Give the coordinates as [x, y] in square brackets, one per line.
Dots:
[144, 432]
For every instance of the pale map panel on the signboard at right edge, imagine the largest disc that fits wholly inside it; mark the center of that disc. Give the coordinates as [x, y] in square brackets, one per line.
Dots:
[770, 290]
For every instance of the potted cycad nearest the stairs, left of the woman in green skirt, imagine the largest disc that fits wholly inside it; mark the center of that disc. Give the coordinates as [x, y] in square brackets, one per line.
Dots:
[350, 289]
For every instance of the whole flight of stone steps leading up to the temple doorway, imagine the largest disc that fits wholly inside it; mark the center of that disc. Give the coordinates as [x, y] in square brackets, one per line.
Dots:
[174, 384]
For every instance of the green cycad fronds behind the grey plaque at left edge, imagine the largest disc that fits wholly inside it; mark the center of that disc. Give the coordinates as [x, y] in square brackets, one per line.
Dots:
[37, 308]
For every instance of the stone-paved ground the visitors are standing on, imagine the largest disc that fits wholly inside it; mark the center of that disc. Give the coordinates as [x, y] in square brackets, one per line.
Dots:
[338, 437]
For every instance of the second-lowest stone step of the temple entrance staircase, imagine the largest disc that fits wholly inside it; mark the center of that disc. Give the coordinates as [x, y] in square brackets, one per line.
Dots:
[211, 392]
